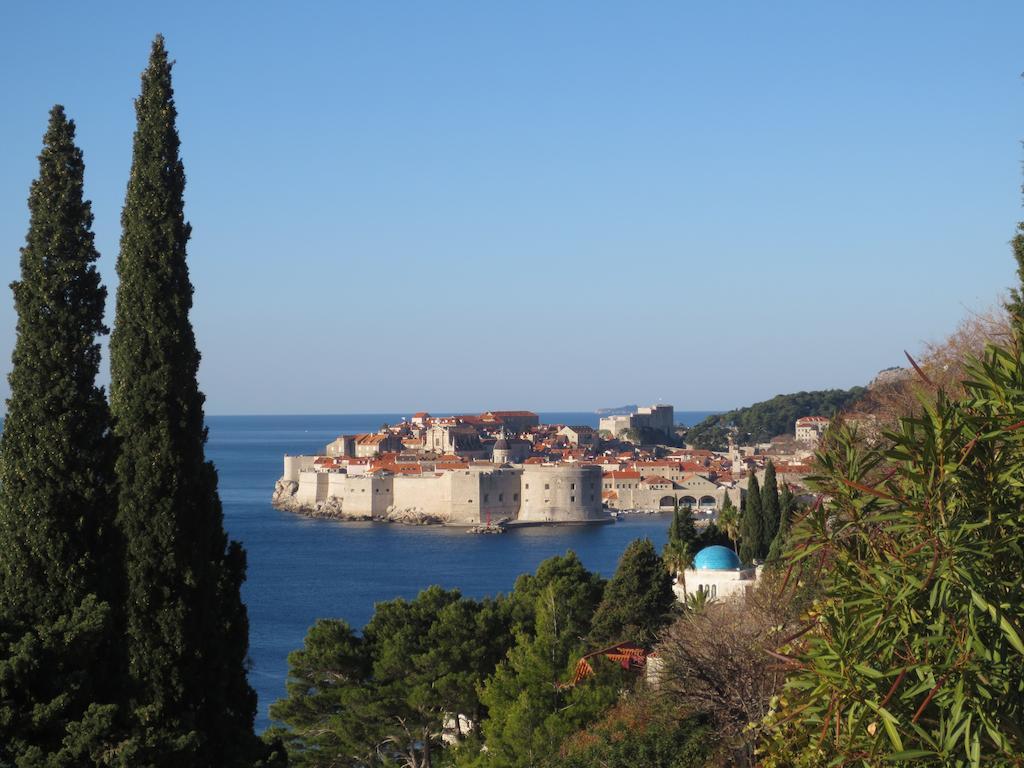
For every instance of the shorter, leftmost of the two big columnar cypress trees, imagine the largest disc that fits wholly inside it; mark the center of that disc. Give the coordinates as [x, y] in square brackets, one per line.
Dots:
[58, 583]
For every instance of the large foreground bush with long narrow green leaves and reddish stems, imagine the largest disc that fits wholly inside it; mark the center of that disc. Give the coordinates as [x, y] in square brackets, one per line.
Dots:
[917, 650]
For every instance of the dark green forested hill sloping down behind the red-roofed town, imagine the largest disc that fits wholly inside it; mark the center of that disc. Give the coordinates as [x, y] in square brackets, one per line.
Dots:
[762, 421]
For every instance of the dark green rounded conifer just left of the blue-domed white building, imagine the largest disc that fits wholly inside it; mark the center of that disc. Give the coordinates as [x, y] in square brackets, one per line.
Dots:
[638, 599]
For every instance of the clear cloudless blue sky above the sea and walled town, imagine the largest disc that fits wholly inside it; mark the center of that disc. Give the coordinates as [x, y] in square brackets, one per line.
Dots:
[462, 205]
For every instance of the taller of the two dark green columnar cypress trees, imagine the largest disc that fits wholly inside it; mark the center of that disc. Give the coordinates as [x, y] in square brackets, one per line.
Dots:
[187, 628]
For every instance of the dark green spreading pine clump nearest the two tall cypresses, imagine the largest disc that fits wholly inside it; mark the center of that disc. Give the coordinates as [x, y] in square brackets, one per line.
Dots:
[387, 697]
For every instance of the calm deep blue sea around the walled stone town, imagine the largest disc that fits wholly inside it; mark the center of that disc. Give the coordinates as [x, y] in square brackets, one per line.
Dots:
[302, 570]
